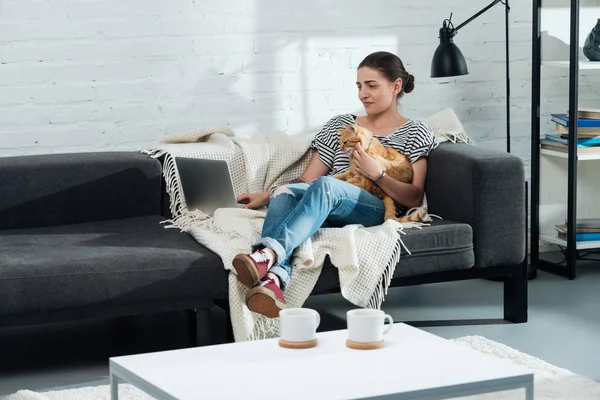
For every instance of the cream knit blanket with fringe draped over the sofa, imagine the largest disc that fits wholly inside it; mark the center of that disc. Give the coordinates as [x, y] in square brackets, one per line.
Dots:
[365, 257]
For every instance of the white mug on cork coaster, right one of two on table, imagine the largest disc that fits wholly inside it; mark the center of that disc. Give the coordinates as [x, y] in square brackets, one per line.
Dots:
[367, 325]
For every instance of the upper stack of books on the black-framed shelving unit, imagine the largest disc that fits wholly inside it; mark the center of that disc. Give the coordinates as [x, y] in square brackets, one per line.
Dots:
[588, 132]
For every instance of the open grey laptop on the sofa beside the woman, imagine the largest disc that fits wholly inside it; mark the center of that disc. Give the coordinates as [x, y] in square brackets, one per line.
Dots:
[206, 184]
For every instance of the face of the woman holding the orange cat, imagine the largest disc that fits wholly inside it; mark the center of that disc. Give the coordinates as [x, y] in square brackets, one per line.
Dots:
[375, 91]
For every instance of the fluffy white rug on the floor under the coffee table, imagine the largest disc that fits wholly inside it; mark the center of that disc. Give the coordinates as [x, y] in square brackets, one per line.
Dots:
[551, 382]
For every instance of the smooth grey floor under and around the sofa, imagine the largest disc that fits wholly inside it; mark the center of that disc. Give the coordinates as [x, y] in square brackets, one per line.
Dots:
[563, 329]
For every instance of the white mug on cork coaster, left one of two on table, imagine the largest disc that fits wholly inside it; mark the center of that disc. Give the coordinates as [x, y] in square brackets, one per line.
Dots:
[298, 324]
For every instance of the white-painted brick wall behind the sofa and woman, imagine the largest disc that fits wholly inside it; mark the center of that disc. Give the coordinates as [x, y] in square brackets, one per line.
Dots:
[102, 74]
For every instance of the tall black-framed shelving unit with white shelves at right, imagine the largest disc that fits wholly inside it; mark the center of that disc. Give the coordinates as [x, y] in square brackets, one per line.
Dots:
[549, 167]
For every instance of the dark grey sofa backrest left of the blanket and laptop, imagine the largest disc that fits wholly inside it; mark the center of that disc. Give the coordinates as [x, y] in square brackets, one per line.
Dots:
[60, 189]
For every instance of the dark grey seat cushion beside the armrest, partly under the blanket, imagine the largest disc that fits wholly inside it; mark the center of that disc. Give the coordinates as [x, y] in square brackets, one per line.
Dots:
[444, 245]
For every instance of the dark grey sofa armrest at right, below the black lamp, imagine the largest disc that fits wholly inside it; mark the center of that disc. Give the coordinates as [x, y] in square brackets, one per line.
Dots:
[485, 189]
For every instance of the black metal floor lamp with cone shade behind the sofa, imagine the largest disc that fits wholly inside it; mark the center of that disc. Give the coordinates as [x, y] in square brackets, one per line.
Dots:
[448, 60]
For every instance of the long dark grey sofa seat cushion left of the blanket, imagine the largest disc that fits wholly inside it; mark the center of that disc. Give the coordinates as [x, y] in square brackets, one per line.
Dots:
[128, 261]
